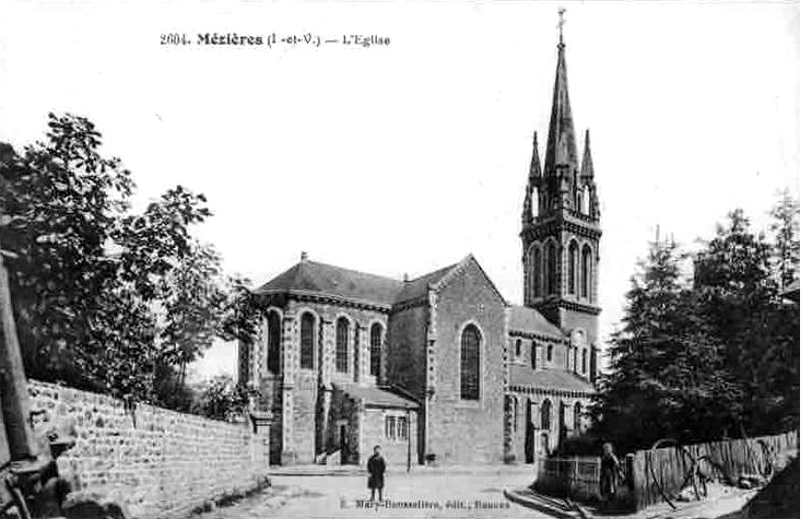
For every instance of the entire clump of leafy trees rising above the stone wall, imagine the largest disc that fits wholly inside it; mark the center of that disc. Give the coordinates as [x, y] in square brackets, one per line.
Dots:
[105, 299]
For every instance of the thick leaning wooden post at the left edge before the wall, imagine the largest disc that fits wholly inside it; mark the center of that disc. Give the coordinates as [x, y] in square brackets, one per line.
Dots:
[13, 384]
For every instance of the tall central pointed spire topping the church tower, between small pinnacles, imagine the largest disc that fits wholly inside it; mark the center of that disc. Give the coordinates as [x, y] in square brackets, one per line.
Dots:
[561, 147]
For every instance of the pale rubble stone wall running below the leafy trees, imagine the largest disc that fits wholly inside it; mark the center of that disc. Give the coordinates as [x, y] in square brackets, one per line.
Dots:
[158, 463]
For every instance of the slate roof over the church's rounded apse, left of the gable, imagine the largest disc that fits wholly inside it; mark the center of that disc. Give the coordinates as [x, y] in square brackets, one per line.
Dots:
[319, 278]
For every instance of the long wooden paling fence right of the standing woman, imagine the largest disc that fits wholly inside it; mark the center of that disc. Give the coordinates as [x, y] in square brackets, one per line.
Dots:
[663, 472]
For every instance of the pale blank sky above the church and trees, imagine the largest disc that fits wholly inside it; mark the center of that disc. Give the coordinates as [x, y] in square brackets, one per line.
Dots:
[402, 158]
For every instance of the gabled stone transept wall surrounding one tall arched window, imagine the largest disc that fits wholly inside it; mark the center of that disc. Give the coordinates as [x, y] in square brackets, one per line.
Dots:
[461, 431]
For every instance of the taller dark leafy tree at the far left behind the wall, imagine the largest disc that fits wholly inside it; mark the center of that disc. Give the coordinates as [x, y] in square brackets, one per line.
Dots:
[62, 200]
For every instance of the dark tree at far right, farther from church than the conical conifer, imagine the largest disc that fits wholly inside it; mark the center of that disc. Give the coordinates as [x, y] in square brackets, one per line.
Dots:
[739, 298]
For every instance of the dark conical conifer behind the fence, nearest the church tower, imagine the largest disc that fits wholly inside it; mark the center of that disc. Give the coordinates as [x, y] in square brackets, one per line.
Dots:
[667, 377]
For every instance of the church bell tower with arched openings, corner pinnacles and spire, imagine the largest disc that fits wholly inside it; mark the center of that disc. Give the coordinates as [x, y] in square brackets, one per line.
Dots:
[561, 227]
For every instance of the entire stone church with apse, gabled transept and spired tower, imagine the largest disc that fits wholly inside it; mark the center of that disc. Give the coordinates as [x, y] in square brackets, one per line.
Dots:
[441, 368]
